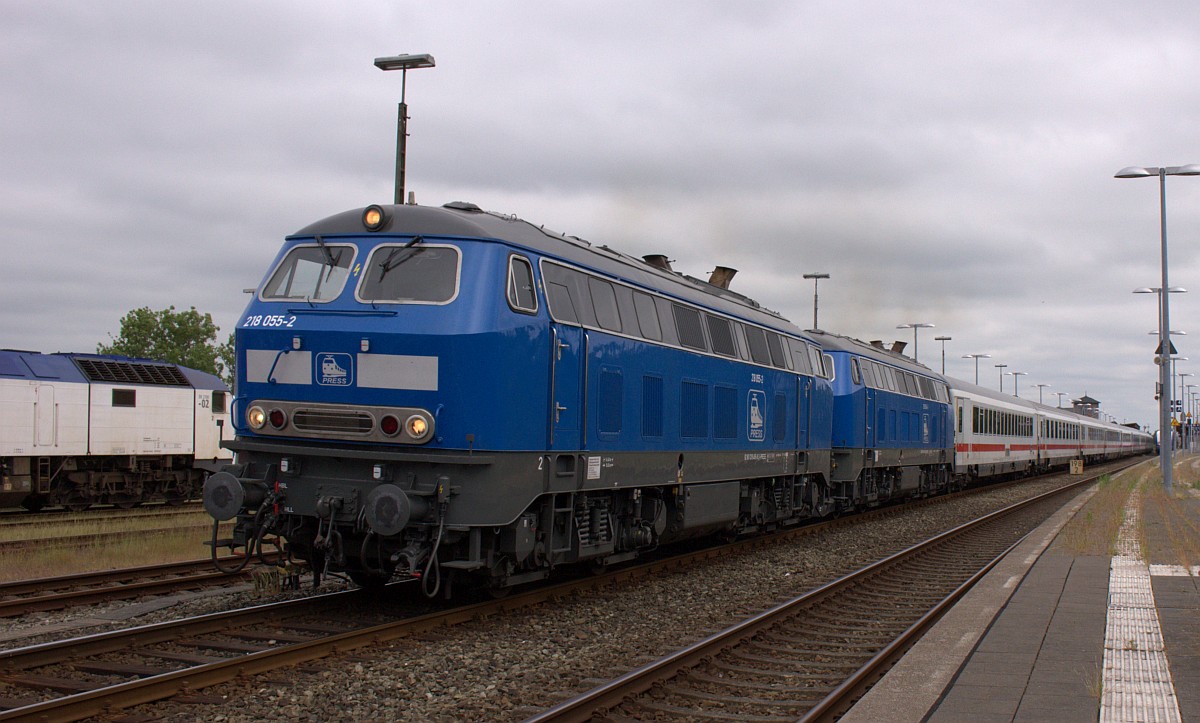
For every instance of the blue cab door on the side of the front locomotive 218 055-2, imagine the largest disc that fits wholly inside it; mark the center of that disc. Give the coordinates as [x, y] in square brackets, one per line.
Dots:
[568, 362]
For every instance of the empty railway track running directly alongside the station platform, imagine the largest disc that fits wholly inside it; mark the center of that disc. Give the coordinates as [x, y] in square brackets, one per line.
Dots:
[809, 659]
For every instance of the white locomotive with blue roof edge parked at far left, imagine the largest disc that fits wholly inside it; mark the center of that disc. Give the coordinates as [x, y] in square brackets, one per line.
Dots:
[85, 429]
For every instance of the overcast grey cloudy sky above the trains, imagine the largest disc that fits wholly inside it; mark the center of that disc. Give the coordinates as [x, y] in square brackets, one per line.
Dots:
[945, 163]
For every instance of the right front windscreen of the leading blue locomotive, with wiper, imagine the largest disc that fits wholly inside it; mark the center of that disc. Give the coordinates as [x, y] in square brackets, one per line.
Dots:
[404, 274]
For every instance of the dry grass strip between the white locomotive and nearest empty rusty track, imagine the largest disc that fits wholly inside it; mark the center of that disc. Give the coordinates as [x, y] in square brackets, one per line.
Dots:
[127, 546]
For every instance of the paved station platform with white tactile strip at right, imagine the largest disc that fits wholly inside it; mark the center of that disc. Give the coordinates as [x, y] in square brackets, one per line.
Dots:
[1052, 635]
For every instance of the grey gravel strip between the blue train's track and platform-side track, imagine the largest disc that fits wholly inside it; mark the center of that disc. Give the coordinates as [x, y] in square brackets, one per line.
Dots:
[512, 666]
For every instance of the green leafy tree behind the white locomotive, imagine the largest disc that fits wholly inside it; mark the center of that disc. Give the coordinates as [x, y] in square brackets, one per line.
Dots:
[185, 338]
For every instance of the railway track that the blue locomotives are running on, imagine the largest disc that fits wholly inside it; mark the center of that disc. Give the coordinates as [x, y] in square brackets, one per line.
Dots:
[87, 677]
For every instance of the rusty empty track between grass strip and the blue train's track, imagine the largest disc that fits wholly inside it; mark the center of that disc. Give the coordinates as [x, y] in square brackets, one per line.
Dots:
[21, 597]
